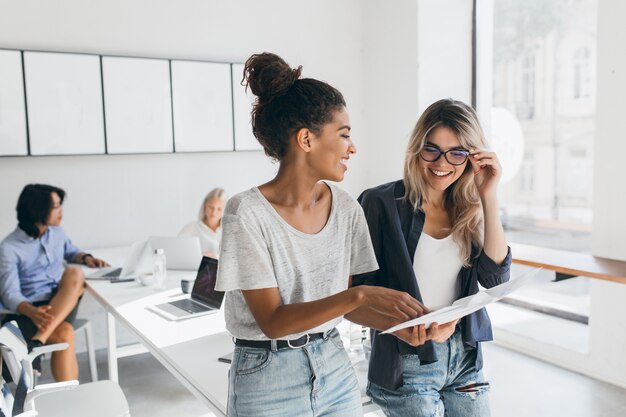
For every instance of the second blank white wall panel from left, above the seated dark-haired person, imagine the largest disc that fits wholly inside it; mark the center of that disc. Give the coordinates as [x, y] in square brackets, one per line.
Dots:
[64, 97]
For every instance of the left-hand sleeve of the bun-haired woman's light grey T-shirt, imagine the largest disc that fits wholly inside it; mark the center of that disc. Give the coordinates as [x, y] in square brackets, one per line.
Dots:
[245, 262]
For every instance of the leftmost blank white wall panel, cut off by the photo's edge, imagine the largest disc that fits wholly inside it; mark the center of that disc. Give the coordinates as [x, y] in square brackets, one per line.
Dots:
[13, 135]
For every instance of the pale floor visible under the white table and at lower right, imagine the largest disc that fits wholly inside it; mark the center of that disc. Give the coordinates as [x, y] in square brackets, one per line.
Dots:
[521, 387]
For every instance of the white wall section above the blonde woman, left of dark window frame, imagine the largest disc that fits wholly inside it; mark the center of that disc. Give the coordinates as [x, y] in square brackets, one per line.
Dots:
[406, 71]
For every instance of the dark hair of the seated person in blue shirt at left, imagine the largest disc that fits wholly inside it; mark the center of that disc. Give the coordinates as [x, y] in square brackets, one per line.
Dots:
[34, 205]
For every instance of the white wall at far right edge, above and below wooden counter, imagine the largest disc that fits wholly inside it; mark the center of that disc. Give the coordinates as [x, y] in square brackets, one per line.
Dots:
[609, 226]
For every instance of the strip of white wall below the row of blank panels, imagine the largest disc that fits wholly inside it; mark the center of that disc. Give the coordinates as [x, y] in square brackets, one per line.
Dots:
[114, 200]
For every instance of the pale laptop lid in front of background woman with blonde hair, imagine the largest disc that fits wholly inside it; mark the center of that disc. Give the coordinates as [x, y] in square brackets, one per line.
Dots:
[181, 252]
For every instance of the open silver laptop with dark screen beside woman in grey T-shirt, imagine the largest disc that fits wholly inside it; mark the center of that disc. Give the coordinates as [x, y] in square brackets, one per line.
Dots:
[203, 300]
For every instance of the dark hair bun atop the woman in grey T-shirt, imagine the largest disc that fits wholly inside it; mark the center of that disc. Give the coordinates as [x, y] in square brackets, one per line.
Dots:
[268, 75]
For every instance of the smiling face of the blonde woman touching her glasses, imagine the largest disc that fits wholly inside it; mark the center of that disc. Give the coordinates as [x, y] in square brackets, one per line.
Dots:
[440, 174]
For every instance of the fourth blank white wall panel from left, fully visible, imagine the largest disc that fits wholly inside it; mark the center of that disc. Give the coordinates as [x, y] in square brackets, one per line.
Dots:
[203, 106]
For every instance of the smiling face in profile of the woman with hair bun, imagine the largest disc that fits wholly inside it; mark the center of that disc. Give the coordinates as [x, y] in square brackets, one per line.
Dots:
[331, 148]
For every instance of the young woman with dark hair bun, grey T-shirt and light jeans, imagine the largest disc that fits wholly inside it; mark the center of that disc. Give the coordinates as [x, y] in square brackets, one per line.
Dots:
[288, 250]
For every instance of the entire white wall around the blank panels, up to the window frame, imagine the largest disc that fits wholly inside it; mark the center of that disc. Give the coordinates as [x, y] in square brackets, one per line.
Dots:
[385, 59]
